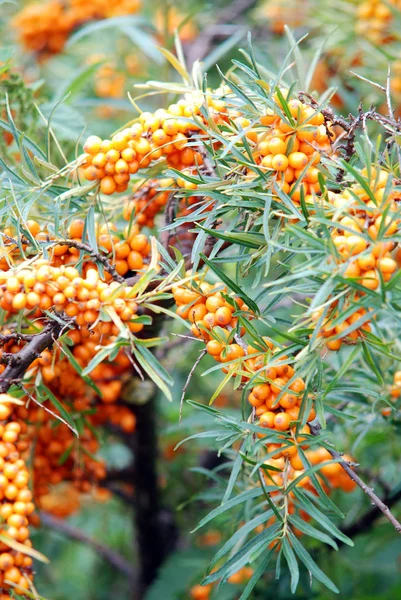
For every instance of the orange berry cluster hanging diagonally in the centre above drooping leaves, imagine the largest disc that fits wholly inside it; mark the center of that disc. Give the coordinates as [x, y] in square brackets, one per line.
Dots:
[277, 394]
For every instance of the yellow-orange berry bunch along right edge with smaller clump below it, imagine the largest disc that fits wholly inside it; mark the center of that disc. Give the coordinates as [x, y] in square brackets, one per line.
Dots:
[365, 222]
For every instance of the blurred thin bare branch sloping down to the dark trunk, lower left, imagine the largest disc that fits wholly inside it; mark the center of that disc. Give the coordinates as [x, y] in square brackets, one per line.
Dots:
[115, 559]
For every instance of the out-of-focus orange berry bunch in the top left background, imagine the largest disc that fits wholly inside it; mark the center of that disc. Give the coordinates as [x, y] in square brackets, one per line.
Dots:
[45, 28]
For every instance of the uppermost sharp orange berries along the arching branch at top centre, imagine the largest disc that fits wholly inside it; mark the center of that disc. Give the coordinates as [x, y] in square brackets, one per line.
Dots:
[288, 149]
